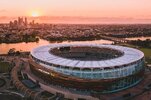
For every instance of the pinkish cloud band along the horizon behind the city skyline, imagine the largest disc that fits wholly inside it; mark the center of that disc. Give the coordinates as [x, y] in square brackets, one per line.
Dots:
[80, 20]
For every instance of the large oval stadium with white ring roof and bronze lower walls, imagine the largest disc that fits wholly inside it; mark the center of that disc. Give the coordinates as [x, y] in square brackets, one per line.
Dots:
[89, 68]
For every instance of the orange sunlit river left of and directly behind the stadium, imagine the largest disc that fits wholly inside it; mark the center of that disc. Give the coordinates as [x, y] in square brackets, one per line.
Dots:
[4, 48]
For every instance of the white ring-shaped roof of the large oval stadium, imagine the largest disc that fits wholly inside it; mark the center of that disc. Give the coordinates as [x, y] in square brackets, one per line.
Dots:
[130, 55]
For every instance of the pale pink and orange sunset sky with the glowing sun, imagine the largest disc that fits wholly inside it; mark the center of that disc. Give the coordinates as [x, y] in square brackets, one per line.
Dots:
[98, 10]
